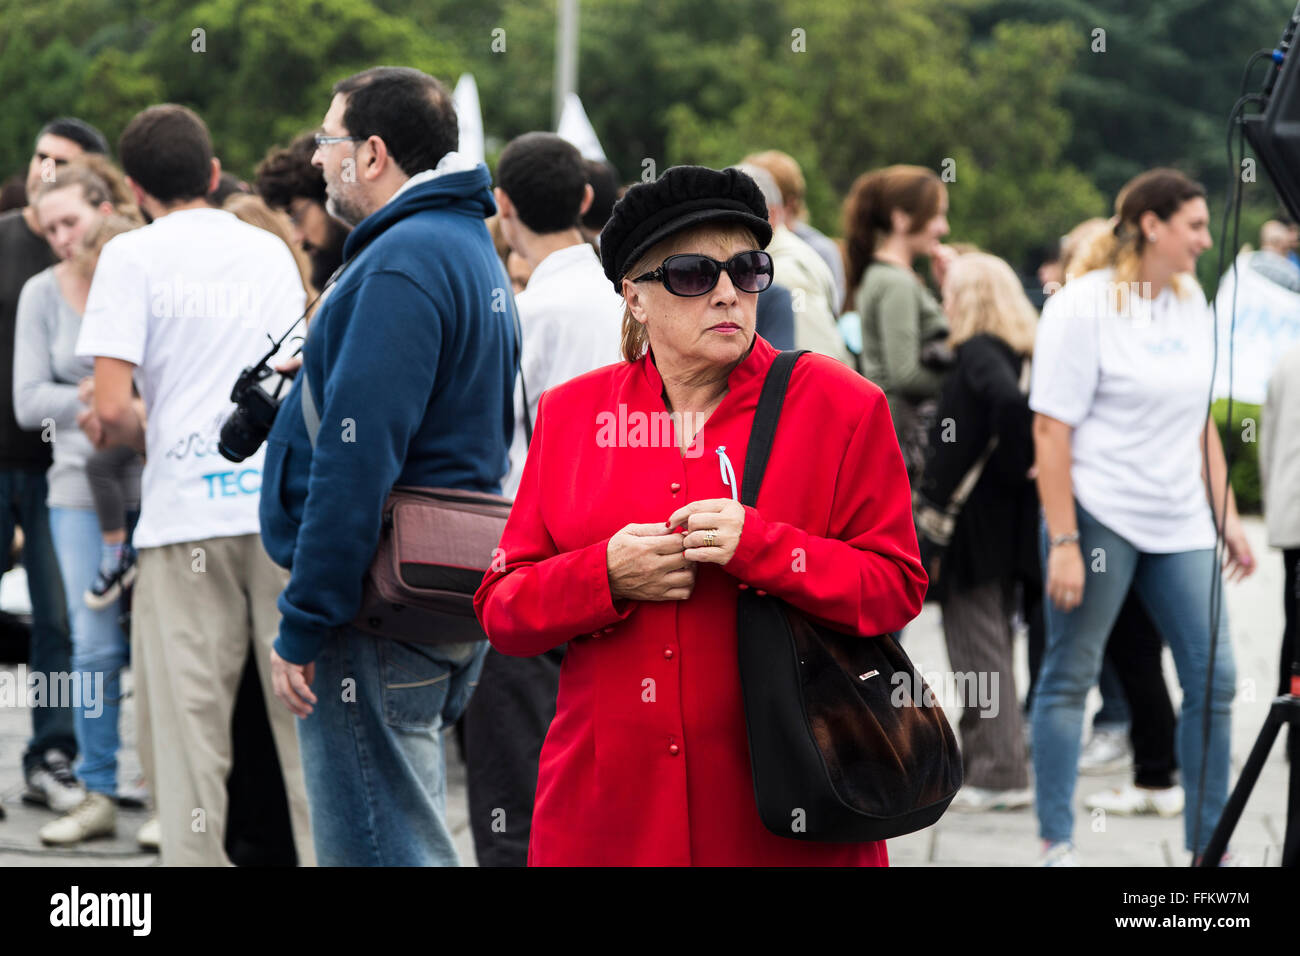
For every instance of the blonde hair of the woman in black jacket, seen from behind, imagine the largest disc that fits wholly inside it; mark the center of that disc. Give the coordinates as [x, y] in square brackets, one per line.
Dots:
[983, 296]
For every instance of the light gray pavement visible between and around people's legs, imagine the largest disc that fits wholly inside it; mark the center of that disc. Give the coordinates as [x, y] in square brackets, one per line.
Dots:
[985, 840]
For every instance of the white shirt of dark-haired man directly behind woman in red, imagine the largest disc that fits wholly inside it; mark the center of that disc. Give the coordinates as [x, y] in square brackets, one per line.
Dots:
[573, 322]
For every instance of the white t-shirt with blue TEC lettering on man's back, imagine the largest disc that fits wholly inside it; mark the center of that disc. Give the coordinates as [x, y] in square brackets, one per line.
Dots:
[190, 300]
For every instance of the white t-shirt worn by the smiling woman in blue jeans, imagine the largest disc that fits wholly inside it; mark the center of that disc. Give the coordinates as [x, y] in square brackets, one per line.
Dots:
[1134, 388]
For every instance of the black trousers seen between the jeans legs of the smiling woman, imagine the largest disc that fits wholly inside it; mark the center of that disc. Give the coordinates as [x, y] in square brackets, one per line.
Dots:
[1134, 650]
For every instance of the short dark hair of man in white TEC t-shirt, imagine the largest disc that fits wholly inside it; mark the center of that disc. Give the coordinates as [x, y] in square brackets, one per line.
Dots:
[168, 153]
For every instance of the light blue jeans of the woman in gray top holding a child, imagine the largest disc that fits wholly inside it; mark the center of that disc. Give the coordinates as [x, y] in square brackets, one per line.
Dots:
[101, 647]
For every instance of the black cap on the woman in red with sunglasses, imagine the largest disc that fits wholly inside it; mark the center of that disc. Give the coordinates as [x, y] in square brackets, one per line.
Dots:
[682, 198]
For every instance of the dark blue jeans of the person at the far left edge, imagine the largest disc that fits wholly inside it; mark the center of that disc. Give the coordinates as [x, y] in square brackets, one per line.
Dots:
[23, 503]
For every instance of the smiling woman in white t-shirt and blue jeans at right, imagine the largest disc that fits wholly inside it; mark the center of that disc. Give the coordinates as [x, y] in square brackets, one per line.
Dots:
[1129, 464]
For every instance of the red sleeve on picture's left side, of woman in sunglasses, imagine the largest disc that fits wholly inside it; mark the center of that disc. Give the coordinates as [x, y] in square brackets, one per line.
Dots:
[540, 599]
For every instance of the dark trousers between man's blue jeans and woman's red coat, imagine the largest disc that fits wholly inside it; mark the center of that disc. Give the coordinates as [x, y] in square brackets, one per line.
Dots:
[505, 726]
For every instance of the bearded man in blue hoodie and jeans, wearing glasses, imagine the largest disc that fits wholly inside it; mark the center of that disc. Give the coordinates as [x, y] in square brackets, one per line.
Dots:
[411, 364]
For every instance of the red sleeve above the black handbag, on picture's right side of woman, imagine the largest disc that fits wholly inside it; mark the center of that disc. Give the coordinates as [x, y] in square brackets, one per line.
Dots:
[866, 576]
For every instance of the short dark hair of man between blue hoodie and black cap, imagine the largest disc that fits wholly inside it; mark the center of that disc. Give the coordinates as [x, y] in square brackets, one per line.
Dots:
[545, 179]
